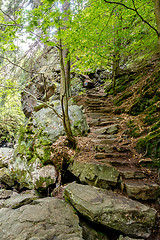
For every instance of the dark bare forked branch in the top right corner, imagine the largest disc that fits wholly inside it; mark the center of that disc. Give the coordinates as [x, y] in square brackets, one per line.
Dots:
[135, 10]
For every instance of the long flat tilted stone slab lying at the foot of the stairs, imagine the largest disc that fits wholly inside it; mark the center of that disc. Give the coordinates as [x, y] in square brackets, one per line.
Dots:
[111, 210]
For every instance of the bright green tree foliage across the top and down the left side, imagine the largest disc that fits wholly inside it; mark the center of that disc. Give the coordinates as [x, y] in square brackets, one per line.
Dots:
[98, 34]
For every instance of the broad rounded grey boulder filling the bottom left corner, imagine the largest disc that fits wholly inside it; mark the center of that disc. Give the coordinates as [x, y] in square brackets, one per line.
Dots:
[42, 219]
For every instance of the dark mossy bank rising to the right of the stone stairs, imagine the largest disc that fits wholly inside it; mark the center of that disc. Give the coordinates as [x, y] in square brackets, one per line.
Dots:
[139, 96]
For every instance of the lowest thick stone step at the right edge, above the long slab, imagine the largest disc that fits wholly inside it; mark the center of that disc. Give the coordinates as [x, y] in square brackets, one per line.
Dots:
[141, 189]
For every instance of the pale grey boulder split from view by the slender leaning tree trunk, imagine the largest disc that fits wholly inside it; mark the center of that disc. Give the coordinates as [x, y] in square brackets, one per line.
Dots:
[52, 125]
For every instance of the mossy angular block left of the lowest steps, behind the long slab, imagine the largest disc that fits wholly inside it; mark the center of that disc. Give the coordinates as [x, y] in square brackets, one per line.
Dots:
[100, 175]
